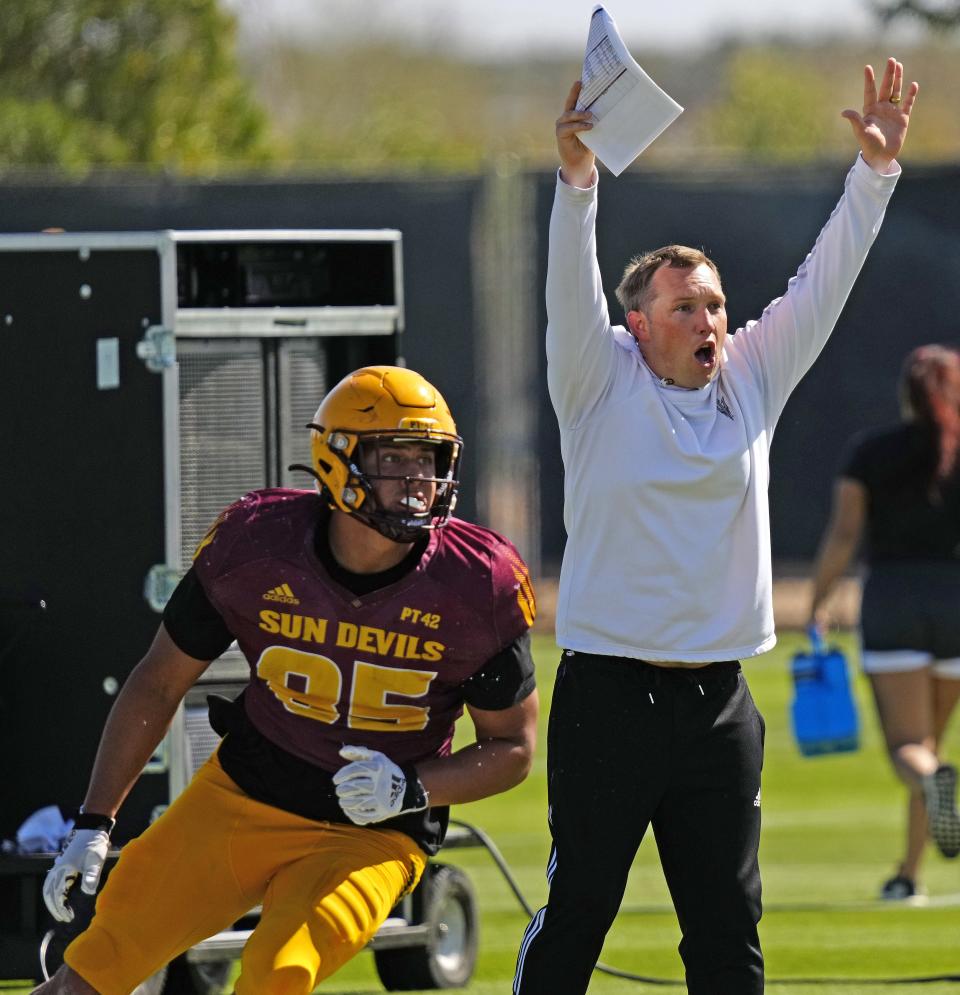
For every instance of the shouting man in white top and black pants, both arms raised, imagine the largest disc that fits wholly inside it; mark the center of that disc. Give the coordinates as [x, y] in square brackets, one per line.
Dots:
[665, 431]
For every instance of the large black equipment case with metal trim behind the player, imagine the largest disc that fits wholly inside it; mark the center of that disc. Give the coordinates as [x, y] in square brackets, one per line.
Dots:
[148, 380]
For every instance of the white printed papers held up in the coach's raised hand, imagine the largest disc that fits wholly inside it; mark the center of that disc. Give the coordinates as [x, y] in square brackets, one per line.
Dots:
[629, 108]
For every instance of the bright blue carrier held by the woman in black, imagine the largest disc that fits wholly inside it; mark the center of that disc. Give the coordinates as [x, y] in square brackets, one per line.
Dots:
[823, 712]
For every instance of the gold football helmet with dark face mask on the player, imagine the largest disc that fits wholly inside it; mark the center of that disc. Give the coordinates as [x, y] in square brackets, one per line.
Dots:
[370, 407]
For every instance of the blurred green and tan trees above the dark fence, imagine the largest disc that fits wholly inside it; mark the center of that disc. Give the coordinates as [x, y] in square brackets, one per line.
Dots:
[168, 85]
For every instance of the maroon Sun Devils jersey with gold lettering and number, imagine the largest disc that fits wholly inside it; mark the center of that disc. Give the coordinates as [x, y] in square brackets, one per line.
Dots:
[382, 670]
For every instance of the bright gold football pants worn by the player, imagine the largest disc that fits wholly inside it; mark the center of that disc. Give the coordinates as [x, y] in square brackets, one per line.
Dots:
[325, 888]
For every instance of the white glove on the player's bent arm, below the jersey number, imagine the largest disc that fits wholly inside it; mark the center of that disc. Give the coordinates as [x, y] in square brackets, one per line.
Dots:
[373, 788]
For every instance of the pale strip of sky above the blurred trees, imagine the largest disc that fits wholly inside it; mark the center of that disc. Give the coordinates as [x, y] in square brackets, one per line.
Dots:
[489, 27]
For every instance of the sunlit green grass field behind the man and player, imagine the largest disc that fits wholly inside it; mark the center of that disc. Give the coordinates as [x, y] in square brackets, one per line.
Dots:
[832, 830]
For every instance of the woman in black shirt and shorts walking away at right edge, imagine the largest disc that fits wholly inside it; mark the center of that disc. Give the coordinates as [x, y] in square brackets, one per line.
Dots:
[900, 490]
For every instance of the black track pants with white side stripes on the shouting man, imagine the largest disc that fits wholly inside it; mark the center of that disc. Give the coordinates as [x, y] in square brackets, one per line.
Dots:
[630, 744]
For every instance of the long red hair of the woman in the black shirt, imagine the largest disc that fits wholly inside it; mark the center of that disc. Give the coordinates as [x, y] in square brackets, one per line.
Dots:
[930, 393]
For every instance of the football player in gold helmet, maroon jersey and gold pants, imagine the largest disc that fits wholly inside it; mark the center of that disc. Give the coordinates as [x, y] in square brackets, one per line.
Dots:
[370, 618]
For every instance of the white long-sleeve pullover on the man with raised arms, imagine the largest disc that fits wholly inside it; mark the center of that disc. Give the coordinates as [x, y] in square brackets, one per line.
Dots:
[665, 493]
